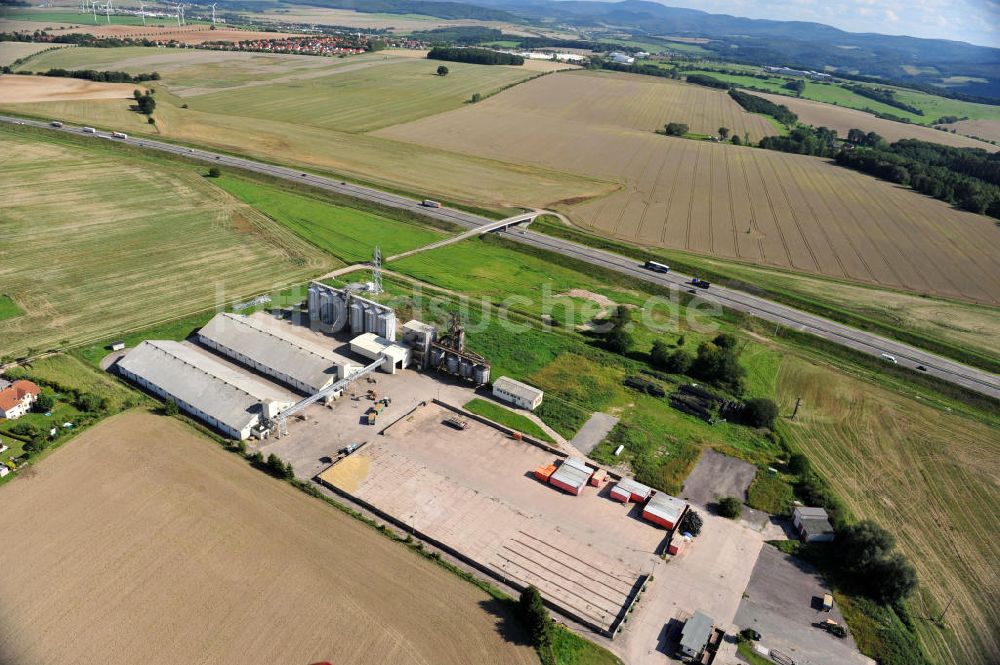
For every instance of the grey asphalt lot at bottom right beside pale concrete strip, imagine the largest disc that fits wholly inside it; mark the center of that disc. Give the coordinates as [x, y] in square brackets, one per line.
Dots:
[781, 605]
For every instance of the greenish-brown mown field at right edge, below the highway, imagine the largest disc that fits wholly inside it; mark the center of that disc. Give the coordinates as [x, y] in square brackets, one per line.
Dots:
[873, 445]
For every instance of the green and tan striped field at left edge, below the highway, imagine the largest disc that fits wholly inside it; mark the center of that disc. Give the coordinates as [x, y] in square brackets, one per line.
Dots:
[95, 243]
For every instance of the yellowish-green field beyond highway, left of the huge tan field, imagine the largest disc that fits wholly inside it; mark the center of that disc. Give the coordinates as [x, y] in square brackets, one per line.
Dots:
[366, 99]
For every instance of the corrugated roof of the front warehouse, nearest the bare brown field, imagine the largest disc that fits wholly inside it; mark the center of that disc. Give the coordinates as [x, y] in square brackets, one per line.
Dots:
[210, 385]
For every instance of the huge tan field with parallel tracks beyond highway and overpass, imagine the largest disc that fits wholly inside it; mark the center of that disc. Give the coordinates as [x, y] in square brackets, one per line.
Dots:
[754, 205]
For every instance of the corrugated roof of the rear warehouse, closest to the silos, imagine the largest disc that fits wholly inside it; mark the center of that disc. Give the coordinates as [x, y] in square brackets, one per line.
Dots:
[263, 344]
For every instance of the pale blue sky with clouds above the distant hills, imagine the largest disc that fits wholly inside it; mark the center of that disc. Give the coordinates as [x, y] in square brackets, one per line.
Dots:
[975, 21]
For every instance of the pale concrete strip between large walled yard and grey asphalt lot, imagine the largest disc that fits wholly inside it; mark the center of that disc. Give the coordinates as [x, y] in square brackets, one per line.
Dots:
[709, 574]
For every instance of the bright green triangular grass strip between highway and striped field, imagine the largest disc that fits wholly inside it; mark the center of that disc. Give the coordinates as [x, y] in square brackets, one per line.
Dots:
[346, 233]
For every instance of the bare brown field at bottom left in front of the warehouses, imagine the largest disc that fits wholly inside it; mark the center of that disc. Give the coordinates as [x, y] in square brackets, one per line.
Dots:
[149, 544]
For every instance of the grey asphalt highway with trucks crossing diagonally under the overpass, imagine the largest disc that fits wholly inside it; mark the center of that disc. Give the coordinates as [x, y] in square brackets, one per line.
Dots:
[972, 378]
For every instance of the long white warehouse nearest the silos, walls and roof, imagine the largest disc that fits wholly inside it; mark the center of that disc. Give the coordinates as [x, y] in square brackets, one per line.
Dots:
[262, 347]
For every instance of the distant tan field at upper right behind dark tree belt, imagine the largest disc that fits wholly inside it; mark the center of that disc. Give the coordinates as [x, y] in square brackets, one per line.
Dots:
[844, 119]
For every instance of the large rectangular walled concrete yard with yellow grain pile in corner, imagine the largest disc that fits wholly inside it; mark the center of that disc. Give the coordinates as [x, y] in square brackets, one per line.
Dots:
[474, 491]
